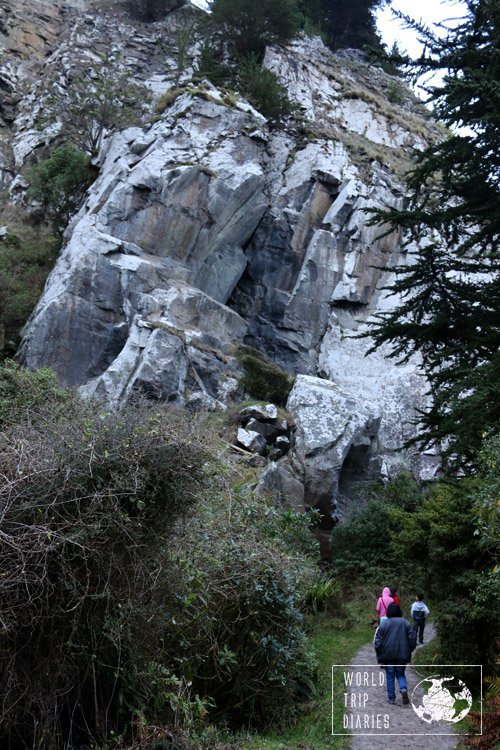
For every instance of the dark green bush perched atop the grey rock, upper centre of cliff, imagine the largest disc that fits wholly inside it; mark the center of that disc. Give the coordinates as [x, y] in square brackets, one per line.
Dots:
[262, 88]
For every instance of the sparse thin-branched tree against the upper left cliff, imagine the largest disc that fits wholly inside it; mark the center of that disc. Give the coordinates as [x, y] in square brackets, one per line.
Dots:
[99, 100]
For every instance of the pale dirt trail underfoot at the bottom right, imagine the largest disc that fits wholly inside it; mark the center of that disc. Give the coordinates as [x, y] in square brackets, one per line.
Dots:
[402, 720]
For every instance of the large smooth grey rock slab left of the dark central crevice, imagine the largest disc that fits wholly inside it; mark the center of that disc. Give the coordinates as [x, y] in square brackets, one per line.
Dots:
[150, 246]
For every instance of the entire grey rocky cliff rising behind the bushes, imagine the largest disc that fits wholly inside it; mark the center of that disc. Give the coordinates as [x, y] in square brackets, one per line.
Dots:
[210, 227]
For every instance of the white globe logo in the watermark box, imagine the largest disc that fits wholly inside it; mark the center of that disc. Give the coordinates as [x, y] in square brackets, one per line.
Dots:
[449, 703]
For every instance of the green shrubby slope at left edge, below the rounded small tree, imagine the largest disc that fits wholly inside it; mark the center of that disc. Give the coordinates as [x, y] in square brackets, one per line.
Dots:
[25, 261]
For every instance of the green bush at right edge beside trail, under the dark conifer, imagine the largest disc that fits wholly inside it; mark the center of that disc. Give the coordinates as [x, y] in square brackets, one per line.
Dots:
[454, 548]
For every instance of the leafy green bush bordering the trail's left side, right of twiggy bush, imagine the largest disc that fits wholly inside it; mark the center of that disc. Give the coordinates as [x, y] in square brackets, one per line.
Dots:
[238, 632]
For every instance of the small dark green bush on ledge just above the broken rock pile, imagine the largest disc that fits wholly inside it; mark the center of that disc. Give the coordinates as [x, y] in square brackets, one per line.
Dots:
[262, 379]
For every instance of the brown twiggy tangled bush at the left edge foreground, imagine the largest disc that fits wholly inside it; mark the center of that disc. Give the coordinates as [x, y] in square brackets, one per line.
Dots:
[87, 503]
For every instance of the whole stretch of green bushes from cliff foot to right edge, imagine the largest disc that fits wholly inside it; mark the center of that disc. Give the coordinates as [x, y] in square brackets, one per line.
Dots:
[445, 543]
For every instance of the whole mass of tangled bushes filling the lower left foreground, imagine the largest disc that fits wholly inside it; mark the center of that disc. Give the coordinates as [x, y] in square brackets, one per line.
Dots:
[141, 586]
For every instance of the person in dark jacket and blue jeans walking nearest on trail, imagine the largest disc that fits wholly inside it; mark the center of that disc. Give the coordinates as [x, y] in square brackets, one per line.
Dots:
[394, 641]
